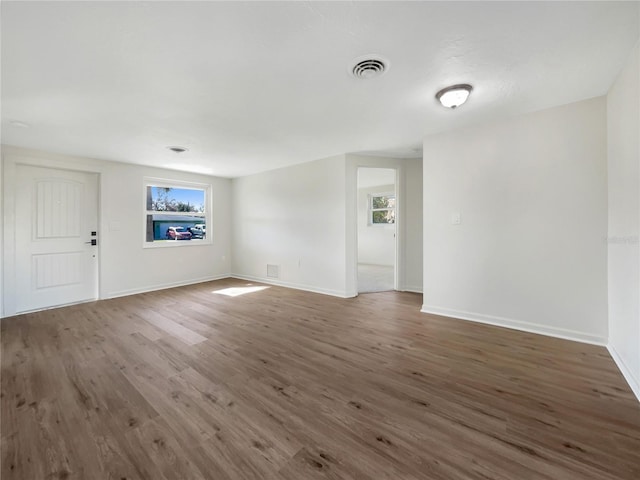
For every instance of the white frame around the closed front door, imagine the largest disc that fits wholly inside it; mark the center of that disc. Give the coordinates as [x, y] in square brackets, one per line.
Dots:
[10, 162]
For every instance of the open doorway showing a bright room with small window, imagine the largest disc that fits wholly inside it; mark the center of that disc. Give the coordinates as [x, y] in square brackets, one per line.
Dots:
[376, 227]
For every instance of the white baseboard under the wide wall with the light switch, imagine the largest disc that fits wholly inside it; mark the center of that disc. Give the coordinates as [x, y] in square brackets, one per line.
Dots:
[517, 325]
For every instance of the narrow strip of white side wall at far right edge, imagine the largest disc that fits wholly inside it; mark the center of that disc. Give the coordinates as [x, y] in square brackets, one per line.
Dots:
[623, 115]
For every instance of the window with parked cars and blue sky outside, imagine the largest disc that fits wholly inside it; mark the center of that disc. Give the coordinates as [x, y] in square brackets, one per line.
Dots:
[176, 213]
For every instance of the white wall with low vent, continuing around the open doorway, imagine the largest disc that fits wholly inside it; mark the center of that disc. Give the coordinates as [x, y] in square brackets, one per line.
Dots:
[295, 217]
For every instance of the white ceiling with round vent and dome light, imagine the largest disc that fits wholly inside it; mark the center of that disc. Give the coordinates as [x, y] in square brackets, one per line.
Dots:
[253, 86]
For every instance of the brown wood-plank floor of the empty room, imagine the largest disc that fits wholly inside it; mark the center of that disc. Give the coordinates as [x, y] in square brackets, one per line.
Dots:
[283, 384]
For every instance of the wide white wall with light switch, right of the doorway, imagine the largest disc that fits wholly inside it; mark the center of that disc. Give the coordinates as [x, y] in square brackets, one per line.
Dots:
[530, 251]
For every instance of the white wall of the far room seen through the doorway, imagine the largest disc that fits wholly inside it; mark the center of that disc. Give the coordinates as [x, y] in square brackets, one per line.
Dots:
[376, 243]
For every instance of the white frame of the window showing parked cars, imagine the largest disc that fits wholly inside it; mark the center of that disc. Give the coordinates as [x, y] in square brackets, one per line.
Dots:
[184, 185]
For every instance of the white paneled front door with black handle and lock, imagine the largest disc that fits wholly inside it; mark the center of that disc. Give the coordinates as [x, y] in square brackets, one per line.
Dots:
[56, 220]
